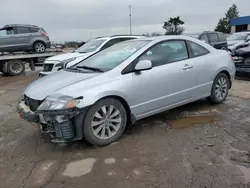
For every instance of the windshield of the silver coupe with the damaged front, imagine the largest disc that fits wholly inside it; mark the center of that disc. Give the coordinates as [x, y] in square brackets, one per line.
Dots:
[112, 56]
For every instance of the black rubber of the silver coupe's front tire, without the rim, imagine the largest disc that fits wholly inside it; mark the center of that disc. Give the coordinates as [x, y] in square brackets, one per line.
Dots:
[87, 131]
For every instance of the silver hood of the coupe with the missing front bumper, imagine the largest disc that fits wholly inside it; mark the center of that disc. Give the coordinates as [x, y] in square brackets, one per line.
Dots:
[45, 86]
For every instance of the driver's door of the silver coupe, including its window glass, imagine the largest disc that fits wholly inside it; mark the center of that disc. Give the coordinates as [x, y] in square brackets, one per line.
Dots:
[170, 82]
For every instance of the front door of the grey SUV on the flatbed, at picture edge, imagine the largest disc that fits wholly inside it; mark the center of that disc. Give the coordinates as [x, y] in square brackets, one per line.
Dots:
[6, 42]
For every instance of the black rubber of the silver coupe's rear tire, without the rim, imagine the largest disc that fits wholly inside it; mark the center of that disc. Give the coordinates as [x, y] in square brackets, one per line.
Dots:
[213, 97]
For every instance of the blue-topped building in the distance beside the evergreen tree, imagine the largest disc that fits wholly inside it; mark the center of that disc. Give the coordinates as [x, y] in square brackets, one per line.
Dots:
[240, 24]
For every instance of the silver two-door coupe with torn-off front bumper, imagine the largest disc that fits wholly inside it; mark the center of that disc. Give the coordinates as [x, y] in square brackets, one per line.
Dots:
[96, 98]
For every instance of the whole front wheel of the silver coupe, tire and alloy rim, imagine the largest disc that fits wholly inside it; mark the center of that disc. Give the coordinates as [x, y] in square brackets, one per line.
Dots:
[95, 120]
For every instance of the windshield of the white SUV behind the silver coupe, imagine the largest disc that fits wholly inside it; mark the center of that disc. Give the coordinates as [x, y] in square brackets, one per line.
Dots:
[90, 46]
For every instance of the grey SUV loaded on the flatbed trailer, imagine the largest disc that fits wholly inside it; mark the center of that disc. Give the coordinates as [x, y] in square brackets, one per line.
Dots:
[14, 38]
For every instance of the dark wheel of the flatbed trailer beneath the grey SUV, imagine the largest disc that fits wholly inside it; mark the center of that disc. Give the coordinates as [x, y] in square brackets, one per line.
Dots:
[15, 67]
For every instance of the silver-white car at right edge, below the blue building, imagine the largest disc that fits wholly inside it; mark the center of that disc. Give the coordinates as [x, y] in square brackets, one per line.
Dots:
[238, 40]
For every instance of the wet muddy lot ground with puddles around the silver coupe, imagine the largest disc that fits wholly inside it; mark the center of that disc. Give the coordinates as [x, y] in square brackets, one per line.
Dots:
[197, 145]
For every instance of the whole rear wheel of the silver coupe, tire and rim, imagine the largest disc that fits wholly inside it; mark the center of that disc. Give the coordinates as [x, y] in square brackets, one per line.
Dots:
[219, 89]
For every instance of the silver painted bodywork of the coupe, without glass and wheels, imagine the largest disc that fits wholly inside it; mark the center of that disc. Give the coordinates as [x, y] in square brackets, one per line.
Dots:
[150, 92]
